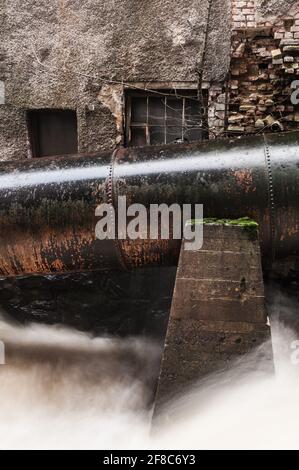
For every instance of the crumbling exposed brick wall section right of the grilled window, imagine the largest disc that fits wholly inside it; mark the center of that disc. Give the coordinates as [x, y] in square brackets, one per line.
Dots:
[264, 62]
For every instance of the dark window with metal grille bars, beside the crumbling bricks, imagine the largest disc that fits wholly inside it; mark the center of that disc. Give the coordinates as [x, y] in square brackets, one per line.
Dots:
[153, 119]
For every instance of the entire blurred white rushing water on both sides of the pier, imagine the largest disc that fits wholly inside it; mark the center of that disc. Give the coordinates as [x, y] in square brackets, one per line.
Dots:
[64, 389]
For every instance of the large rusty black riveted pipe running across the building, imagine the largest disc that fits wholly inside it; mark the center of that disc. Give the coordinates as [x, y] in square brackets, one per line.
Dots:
[47, 206]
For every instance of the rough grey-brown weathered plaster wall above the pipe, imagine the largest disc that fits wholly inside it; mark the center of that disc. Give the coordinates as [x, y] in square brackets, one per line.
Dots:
[59, 54]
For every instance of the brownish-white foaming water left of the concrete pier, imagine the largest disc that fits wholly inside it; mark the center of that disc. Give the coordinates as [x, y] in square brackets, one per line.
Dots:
[64, 389]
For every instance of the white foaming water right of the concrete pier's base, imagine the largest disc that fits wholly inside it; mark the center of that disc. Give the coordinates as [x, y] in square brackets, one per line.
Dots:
[237, 411]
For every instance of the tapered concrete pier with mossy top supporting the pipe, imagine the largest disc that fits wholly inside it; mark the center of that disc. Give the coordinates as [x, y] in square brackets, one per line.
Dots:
[218, 311]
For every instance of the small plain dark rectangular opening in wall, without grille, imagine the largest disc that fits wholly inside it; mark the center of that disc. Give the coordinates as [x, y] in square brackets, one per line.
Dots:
[52, 132]
